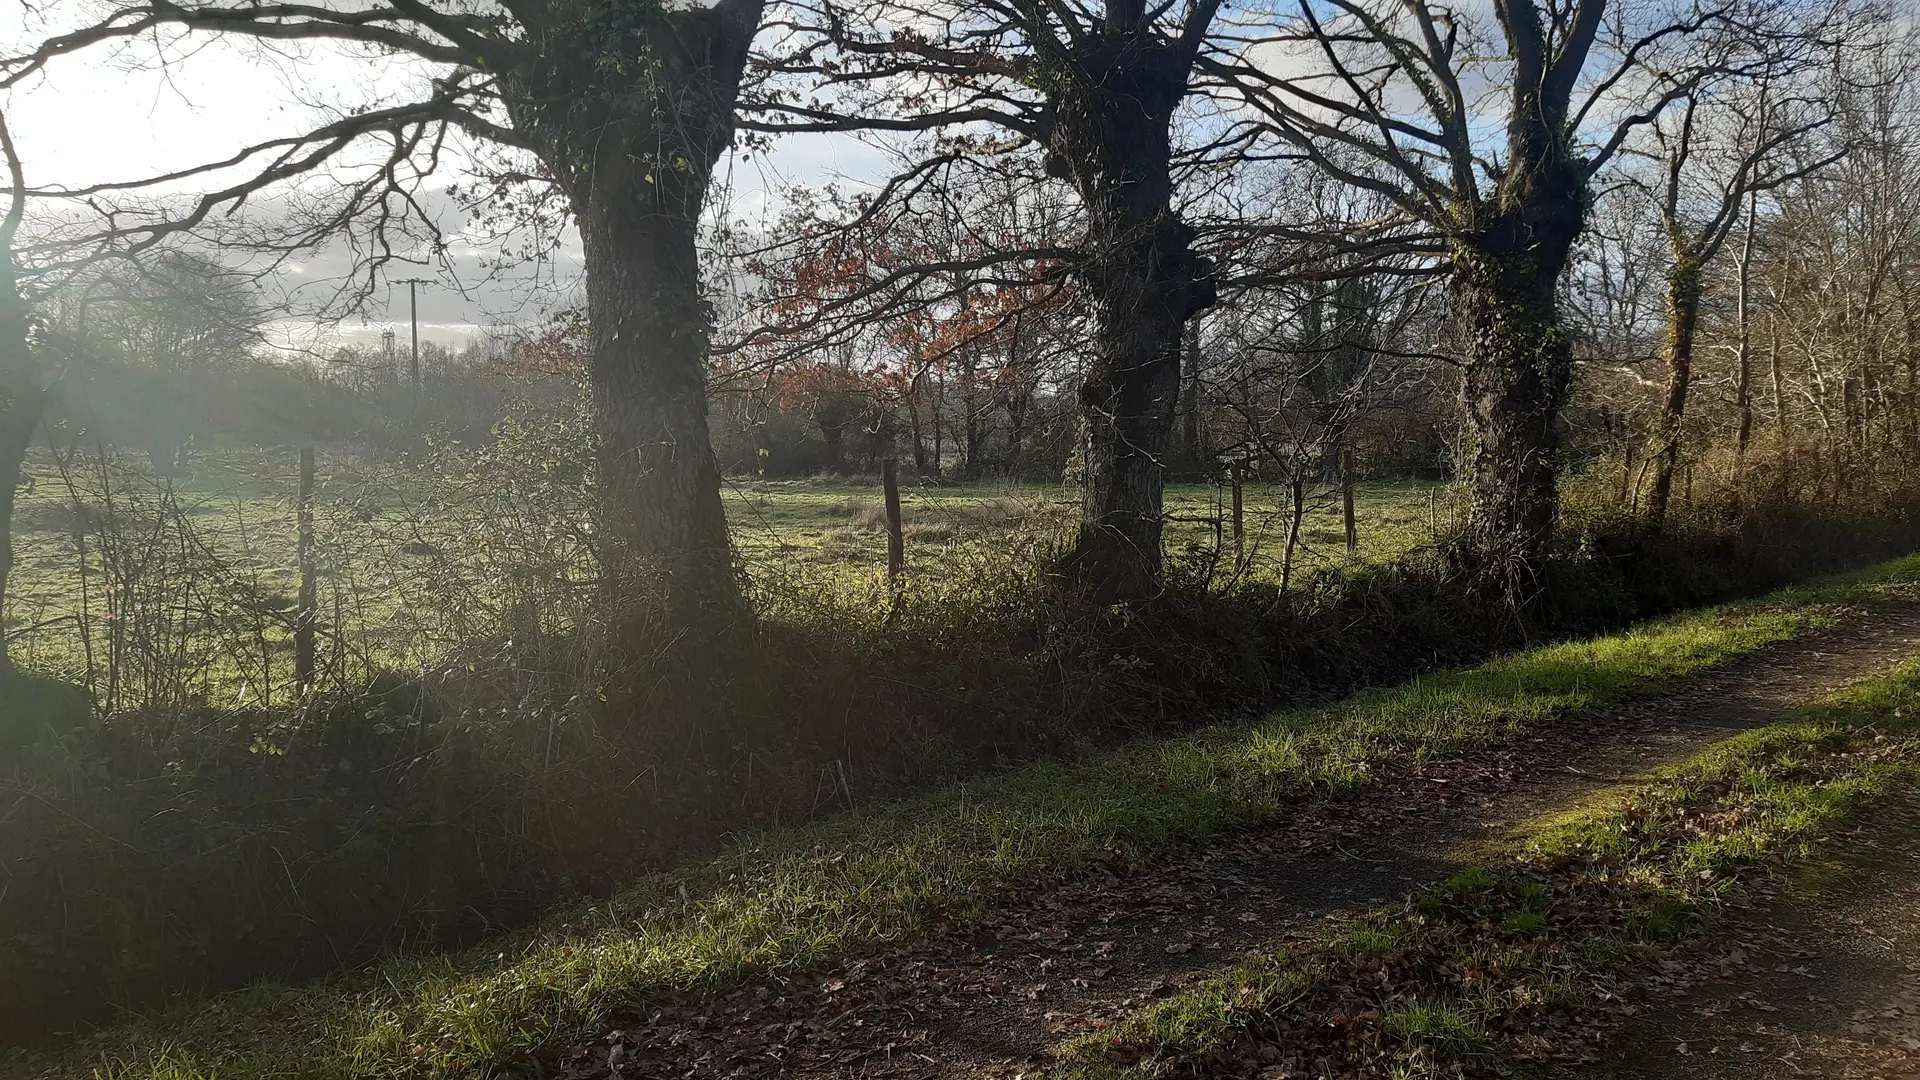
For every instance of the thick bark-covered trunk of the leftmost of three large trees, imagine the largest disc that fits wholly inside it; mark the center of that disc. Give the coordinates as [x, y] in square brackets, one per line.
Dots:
[635, 147]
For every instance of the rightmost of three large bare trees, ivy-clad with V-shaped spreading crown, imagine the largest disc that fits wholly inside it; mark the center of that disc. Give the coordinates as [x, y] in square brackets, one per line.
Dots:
[1393, 99]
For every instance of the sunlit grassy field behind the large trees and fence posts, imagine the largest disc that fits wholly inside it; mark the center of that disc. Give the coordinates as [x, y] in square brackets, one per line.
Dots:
[183, 589]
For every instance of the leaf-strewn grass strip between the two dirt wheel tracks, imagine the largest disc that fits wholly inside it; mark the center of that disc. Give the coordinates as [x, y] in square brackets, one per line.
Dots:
[1495, 968]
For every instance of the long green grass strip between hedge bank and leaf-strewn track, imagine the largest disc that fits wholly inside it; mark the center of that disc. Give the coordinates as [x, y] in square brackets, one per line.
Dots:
[828, 891]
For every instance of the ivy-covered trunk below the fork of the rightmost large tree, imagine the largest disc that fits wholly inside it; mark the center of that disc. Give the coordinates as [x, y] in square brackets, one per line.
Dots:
[1518, 376]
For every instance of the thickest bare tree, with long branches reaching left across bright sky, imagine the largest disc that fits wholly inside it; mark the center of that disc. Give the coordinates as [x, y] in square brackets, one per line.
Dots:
[623, 109]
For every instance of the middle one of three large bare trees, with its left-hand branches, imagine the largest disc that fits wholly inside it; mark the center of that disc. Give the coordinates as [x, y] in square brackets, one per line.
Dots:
[1097, 89]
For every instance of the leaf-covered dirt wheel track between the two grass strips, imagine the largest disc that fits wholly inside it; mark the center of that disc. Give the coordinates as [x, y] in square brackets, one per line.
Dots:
[994, 994]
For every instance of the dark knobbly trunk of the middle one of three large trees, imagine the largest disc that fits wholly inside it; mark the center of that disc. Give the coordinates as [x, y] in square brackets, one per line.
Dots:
[1113, 141]
